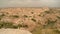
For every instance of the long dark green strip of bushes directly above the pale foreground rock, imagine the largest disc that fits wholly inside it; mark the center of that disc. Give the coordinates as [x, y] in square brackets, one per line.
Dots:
[10, 25]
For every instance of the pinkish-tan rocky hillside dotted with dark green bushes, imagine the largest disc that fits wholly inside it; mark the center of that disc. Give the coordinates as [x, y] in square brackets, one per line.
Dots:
[36, 20]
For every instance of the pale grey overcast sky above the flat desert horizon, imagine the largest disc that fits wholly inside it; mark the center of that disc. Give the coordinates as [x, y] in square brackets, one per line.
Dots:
[29, 3]
